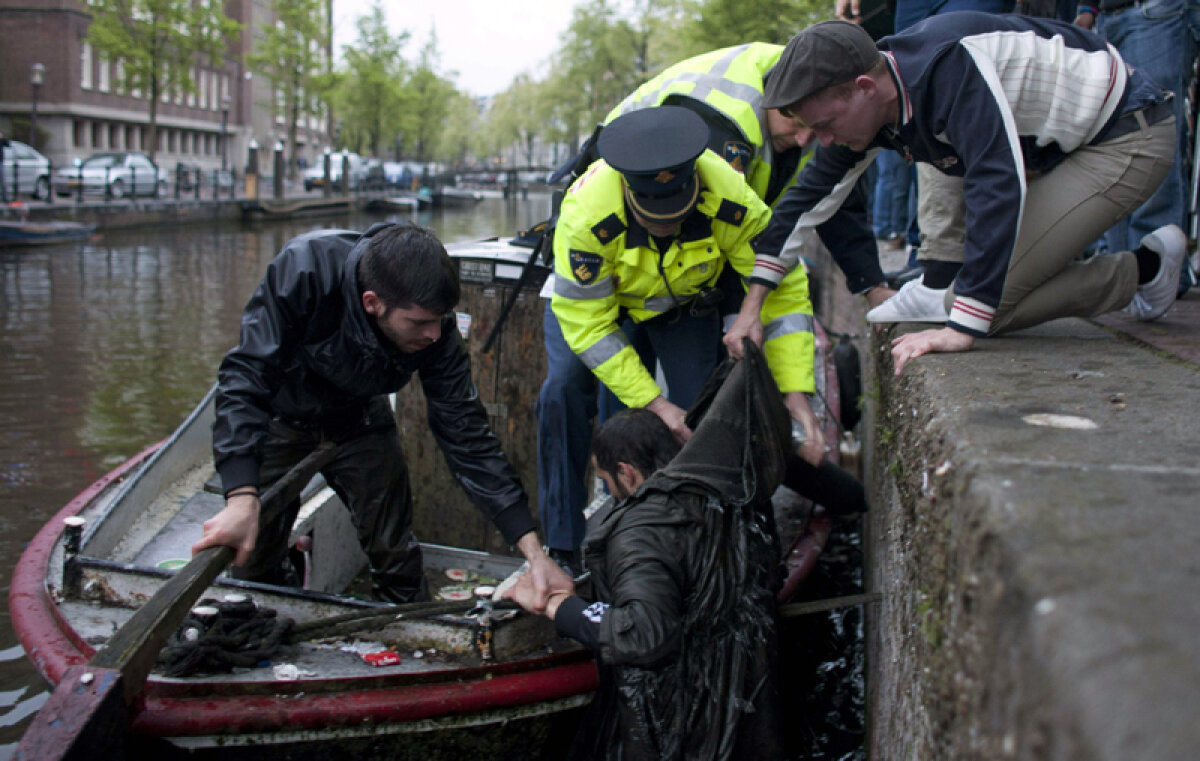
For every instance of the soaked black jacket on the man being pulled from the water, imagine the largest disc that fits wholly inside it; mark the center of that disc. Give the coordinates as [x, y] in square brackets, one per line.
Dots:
[685, 573]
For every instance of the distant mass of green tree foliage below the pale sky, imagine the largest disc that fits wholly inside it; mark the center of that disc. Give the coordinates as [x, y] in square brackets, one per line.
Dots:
[611, 46]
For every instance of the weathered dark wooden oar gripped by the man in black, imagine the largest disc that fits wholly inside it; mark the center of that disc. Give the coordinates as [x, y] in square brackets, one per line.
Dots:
[89, 712]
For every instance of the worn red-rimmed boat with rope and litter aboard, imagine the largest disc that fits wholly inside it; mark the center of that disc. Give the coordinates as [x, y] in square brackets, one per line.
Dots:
[490, 687]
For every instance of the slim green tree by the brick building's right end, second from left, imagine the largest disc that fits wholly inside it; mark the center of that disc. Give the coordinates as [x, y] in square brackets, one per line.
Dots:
[290, 57]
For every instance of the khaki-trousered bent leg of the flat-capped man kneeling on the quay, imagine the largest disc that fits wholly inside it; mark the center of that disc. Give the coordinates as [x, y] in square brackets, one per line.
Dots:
[1067, 209]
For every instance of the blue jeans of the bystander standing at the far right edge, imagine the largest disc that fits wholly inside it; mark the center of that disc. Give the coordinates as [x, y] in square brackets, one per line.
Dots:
[1160, 39]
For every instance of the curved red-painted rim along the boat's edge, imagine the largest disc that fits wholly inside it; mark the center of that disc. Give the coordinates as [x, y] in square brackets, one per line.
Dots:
[53, 646]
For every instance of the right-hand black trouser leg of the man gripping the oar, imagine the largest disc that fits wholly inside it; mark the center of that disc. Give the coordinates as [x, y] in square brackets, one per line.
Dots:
[370, 474]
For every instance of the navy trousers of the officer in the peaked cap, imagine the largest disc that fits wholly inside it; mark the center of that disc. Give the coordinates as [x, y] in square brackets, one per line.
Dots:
[688, 350]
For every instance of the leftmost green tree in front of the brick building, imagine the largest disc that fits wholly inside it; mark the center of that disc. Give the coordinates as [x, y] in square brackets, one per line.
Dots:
[159, 44]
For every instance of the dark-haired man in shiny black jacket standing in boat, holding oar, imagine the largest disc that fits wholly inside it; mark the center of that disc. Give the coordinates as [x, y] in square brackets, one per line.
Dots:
[339, 321]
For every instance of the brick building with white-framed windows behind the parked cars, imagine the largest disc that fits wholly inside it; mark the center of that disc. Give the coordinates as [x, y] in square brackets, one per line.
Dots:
[82, 109]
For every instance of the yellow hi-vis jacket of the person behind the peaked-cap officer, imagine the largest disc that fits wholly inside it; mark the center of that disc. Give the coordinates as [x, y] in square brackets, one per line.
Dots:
[729, 81]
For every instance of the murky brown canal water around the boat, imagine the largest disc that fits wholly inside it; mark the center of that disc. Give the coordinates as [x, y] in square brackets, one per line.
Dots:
[106, 346]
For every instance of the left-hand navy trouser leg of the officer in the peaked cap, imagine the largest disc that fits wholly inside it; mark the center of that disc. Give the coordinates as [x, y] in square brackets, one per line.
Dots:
[566, 409]
